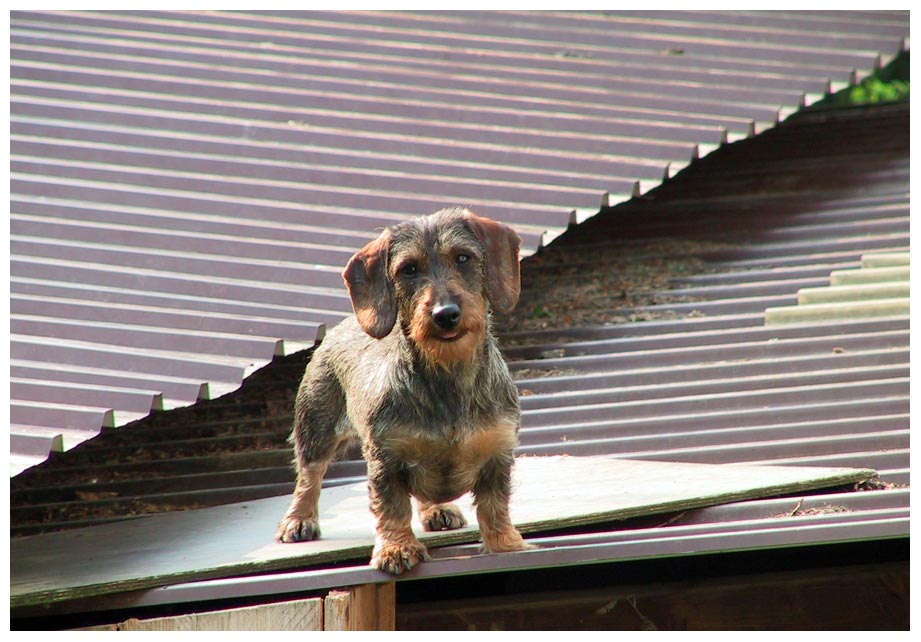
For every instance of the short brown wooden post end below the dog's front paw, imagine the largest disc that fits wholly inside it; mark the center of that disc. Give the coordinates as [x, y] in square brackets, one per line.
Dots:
[369, 607]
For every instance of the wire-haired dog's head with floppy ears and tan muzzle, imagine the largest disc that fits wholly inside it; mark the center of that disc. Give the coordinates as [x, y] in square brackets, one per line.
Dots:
[438, 275]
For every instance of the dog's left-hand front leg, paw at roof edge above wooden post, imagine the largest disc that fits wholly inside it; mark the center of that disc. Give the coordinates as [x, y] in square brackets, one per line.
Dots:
[396, 548]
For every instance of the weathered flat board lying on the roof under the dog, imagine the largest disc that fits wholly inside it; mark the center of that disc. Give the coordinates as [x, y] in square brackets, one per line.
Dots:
[550, 493]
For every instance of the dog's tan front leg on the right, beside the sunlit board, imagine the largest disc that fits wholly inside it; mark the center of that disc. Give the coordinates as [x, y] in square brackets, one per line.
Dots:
[491, 497]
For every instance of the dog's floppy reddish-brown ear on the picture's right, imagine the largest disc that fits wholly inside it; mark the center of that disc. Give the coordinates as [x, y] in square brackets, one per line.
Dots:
[503, 271]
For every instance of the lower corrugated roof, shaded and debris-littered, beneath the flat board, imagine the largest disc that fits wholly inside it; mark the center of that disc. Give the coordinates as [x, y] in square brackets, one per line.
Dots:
[641, 334]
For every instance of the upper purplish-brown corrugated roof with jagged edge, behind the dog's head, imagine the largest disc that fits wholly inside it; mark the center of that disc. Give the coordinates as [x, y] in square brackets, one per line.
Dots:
[185, 186]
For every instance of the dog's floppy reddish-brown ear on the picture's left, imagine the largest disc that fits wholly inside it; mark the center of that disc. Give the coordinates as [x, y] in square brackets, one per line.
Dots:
[370, 287]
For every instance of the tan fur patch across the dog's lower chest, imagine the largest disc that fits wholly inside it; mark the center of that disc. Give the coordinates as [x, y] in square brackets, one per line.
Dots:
[440, 469]
